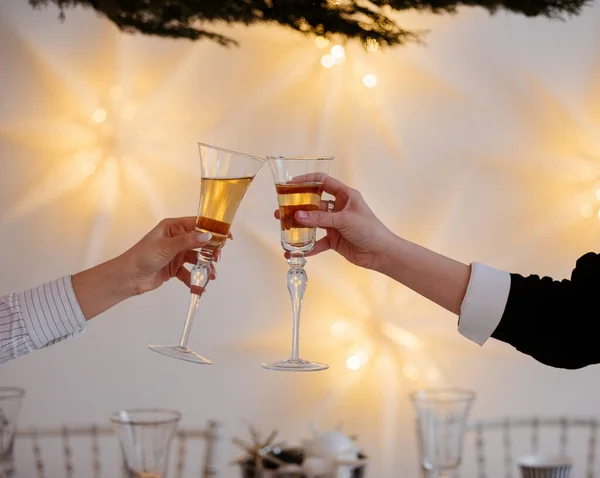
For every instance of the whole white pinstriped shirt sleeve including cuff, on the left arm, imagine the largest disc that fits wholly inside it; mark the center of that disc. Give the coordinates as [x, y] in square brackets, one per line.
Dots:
[39, 317]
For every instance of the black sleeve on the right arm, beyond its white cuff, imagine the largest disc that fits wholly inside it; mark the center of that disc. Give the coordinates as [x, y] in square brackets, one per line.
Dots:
[556, 322]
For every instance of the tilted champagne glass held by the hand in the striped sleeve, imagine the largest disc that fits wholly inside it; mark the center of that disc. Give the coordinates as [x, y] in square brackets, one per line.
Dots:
[225, 178]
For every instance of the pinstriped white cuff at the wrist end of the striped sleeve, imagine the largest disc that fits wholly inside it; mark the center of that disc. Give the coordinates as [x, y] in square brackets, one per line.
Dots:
[51, 312]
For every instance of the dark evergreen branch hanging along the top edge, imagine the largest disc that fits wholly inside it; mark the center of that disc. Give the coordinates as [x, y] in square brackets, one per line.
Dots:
[364, 20]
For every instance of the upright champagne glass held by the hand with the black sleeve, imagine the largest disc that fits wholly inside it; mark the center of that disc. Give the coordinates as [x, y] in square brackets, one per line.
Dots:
[299, 185]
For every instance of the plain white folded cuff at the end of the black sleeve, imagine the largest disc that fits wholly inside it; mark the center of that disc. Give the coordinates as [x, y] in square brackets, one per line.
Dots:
[484, 303]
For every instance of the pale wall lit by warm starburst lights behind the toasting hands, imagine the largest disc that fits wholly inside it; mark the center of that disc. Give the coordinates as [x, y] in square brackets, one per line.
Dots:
[483, 145]
